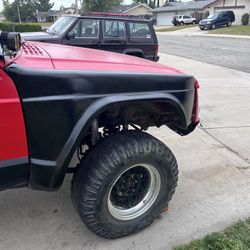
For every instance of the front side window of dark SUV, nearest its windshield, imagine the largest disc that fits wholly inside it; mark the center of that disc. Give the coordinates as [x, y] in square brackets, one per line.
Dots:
[87, 28]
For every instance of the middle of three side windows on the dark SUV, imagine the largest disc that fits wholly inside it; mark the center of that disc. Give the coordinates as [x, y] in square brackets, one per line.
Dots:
[114, 29]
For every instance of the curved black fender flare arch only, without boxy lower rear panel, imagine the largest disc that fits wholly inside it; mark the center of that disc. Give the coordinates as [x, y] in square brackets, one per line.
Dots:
[93, 111]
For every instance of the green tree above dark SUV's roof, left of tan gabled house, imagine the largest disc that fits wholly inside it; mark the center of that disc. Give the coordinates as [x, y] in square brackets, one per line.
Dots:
[100, 5]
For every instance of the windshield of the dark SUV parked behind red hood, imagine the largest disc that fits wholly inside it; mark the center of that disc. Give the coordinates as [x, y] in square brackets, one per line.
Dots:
[61, 25]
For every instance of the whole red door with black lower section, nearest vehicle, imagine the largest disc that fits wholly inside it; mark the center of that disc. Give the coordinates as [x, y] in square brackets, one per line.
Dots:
[14, 159]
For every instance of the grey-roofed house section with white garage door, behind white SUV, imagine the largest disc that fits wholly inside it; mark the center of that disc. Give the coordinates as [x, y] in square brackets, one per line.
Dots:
[198, 9]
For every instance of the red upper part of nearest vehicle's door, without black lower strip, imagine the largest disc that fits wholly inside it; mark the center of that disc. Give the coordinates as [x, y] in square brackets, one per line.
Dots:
[13, 141]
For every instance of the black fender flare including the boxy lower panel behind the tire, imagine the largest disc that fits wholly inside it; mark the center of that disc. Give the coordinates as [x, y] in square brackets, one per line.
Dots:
[53, 172]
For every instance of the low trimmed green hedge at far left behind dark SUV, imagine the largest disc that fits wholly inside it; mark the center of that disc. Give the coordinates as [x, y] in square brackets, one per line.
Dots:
[19, 27]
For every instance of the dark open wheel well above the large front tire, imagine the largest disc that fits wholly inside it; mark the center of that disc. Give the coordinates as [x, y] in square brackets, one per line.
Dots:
[138, 115]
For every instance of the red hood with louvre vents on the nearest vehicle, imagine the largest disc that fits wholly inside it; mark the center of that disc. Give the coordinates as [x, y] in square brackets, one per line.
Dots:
[47, 56]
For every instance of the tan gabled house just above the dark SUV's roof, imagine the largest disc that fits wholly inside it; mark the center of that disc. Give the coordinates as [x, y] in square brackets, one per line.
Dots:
[133, 9]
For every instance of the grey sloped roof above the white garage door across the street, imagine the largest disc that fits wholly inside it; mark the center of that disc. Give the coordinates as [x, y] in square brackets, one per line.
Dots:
[191, 5]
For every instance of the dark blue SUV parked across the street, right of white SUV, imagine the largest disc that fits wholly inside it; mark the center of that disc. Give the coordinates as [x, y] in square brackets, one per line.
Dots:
[217, 19]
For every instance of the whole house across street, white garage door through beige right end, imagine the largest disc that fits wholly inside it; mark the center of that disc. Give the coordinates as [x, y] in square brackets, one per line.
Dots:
[200, 9]
